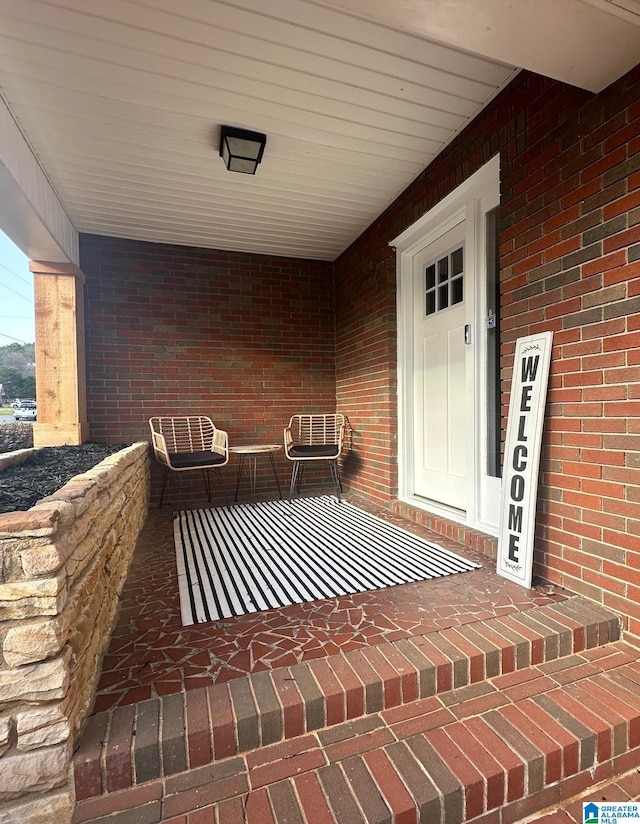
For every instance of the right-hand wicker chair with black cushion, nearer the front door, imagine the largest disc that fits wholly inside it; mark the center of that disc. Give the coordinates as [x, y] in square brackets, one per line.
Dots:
[314, 438]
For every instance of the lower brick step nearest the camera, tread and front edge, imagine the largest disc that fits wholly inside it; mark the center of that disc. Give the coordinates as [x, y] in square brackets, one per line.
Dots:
[543, 735]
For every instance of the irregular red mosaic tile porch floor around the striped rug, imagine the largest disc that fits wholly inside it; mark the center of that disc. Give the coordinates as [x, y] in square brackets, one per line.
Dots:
[151, 654]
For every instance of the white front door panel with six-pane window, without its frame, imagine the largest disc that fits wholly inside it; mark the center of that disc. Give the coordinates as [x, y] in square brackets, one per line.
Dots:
[439, 360]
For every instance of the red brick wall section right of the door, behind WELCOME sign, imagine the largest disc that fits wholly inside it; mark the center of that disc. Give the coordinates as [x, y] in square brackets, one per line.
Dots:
[570, 259]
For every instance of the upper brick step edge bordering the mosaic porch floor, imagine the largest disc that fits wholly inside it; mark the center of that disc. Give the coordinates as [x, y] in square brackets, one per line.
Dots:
[137, 743]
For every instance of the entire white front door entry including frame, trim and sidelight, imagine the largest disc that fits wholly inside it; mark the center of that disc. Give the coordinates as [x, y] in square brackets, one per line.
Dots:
[448, 377]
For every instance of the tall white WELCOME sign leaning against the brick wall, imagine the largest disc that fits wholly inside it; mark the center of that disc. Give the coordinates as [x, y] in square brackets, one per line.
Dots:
[522, 457]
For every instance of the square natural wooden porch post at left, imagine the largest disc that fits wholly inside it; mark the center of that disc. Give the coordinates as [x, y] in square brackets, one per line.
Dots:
[60, 360]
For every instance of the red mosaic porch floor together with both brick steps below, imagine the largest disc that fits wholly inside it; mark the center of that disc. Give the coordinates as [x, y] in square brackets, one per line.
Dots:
[332, 712]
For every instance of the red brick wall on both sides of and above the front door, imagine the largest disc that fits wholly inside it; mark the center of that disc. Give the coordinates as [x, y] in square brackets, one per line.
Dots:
[570, 262]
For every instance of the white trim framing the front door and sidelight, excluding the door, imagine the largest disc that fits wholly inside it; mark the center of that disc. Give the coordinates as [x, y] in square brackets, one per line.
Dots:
[469, 202]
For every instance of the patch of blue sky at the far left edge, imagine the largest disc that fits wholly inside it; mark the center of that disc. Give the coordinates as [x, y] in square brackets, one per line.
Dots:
[17, 322]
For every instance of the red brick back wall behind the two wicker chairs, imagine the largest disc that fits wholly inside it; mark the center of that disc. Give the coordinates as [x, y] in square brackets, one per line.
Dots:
[246, 339]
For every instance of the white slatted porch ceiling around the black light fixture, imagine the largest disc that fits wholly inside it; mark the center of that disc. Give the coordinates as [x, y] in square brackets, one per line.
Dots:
[121, 102]
